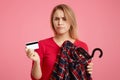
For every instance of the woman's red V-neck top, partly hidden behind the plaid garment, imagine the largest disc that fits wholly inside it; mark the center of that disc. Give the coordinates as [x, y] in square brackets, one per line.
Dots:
[48, 51]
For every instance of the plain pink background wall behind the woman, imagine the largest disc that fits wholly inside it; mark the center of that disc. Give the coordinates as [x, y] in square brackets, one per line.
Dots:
[22, 21]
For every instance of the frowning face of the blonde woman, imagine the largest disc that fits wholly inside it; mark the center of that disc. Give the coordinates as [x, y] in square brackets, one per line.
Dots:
[61, 24]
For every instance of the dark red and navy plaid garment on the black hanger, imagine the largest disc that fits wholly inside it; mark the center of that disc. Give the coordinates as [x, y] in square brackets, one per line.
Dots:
[71, 64]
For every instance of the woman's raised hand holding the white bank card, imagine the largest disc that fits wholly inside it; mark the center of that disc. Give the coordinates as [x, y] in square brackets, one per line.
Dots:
[31, 54]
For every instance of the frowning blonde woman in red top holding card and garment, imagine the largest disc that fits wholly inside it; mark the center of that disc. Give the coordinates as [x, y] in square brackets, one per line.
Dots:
[64, 26]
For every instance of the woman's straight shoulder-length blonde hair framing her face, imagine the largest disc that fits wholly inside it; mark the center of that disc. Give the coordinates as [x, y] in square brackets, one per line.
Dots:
[69, 14]
